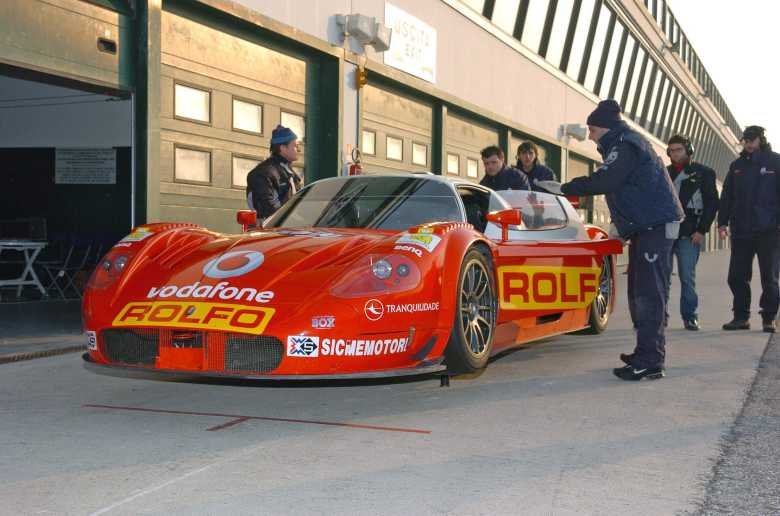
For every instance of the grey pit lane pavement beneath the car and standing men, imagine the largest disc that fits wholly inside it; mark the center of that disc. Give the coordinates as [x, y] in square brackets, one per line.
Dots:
[545, 430]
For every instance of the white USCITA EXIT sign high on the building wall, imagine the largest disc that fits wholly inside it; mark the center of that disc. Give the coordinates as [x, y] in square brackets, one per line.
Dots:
[412, 46]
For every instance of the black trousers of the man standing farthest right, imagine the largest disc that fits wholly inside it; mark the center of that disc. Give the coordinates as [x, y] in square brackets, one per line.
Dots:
[765, 245]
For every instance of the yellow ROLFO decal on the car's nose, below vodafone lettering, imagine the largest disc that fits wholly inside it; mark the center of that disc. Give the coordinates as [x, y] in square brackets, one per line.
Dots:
[196, 315]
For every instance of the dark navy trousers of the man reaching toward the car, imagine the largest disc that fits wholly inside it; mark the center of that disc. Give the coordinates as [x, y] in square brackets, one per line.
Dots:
[649, 268]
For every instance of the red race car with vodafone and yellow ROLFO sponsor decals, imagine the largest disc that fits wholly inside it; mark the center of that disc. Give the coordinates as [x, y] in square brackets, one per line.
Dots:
[359, 276]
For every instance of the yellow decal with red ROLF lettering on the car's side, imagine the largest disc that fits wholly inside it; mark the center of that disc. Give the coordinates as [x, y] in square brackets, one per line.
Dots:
[536, 287]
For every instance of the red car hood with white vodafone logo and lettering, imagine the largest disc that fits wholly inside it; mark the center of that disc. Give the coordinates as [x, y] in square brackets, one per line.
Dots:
[282, 266]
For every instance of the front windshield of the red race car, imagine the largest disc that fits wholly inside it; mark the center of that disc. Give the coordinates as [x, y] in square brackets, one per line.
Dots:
[390, 203]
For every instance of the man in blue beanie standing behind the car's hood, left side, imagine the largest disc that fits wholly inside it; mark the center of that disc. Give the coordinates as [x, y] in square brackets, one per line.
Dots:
[271, 183]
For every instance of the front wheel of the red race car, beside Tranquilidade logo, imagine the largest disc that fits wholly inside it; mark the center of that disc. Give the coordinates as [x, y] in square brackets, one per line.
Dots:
[476, 309]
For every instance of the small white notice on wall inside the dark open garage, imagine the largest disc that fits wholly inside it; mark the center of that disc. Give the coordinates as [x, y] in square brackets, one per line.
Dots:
[85, 167]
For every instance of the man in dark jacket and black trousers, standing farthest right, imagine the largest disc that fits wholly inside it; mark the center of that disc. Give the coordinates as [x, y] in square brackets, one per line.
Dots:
[750, 211]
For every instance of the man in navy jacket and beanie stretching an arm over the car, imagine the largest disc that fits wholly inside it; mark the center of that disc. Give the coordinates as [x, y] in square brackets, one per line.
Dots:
[645, 211]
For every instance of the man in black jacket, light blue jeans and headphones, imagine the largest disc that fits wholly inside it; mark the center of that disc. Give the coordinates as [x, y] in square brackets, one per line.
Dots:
[695, 185]
